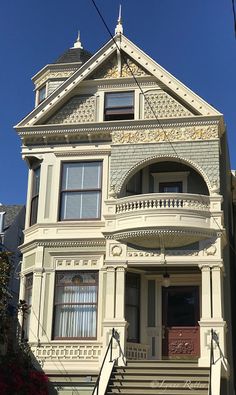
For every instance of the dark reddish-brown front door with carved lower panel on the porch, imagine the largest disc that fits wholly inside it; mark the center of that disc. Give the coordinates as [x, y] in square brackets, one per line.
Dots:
[180, 316]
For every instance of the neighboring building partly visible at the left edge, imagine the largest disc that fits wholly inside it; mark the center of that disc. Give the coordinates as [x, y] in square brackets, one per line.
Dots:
[12, 222]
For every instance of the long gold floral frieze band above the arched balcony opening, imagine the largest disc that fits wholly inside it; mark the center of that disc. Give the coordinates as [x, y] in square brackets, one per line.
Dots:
[193, 133]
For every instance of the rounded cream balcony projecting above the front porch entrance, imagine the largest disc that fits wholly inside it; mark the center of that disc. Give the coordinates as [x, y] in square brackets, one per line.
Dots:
[157, 219]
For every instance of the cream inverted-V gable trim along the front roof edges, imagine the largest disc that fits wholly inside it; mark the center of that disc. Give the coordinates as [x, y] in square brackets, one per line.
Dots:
[168, 81]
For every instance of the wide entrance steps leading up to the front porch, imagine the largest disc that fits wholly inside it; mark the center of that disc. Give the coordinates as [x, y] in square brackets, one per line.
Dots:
[159, 377]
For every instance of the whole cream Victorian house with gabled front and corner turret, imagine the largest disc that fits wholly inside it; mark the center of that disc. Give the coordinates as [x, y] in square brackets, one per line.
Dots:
[128, 219]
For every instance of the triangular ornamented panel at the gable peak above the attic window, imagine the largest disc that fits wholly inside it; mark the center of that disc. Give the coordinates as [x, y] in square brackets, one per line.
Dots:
[110, 69]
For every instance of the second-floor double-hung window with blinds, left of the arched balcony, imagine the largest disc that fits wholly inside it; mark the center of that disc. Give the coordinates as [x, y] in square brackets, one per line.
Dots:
[81, 190]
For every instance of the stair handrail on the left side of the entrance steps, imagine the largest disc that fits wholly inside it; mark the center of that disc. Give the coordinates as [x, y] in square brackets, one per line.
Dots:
[114, 335]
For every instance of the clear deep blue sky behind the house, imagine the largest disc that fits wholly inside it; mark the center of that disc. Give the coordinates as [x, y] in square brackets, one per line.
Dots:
[193, 40]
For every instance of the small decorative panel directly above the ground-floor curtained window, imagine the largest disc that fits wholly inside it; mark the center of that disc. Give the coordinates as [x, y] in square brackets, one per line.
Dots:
[78, 262]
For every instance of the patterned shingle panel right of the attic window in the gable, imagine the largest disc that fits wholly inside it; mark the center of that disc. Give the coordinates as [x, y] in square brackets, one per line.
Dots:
[162, 105]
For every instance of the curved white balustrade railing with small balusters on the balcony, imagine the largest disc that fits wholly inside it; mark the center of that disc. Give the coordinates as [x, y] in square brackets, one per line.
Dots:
[163, 201]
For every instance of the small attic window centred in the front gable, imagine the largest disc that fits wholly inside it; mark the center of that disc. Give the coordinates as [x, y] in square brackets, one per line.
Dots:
[119, 106]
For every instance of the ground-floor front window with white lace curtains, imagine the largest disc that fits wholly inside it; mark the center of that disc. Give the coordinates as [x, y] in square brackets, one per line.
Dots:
[75, 304]
